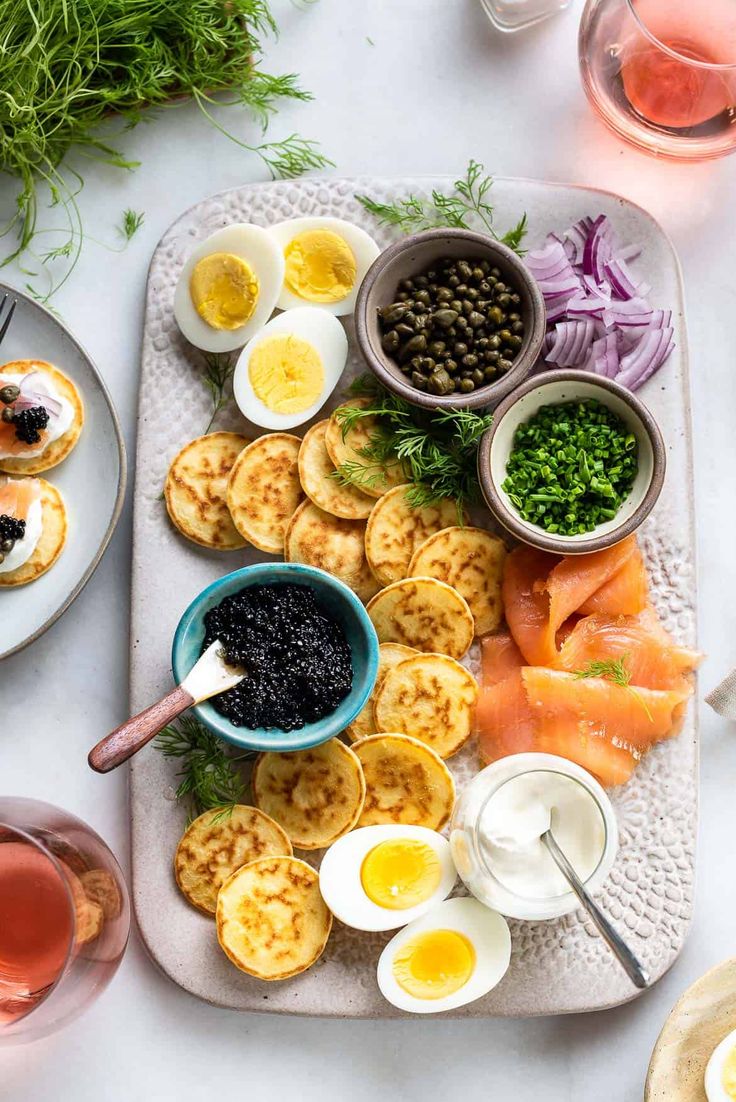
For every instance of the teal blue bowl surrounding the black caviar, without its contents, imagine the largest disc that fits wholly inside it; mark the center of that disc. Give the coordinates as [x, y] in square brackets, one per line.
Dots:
[338, 599]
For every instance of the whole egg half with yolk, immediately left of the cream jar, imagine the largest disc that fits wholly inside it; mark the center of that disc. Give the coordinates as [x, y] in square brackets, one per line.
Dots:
[382, 878]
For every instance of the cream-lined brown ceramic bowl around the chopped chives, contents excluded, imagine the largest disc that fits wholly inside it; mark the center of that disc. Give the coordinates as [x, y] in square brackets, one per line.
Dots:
[568, 386]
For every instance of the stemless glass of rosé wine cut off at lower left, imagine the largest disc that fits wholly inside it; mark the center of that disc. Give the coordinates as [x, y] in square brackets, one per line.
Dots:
[64, 919]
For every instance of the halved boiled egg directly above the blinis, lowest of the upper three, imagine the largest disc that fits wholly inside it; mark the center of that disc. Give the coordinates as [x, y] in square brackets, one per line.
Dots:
[290, 369]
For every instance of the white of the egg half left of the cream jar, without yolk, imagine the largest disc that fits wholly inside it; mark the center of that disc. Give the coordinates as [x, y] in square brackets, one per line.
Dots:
[342, 889]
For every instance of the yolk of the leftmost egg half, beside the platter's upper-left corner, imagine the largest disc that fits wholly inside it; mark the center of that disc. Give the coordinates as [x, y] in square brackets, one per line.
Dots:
[224, 290]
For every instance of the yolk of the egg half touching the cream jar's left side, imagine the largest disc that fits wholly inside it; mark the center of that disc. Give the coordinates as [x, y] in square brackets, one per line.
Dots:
[402, 873]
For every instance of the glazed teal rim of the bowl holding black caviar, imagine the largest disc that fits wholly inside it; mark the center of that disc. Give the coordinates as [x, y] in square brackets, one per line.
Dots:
[312, 734]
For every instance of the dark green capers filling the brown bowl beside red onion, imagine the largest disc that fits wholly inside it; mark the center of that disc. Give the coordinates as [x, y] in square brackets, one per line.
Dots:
[454, 328]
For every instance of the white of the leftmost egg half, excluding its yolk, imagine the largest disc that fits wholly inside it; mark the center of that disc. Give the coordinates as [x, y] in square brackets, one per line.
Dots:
[258, 249]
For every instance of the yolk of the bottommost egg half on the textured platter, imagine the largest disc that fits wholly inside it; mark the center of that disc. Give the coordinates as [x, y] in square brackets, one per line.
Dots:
[435, 965]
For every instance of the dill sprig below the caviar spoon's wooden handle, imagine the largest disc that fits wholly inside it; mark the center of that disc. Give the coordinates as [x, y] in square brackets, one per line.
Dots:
[210, 776]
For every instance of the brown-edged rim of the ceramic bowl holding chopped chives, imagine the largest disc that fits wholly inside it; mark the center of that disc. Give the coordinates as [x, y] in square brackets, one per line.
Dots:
[567, 545]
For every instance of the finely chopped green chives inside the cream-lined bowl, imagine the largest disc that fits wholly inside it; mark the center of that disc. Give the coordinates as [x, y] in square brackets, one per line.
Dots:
[571, 467]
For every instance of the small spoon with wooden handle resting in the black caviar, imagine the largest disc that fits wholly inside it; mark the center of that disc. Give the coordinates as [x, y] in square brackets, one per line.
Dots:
[208, 678]
